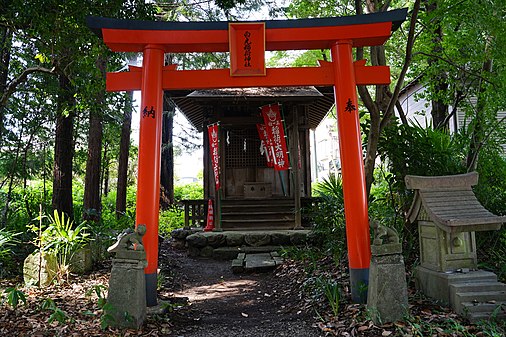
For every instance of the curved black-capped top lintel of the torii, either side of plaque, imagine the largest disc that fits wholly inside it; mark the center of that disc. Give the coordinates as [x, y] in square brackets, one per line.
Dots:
[181, 37]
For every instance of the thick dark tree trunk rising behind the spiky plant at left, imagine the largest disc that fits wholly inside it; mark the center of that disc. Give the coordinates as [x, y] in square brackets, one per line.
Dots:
[64, 148]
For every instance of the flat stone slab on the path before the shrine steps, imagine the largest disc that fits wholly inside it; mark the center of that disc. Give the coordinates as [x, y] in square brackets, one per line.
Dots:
[256, 263]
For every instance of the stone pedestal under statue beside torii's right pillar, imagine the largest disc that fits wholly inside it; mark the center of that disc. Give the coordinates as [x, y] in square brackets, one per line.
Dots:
[387, 298]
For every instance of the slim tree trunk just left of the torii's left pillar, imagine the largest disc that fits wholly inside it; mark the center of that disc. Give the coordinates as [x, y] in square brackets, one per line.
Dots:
[123, 157]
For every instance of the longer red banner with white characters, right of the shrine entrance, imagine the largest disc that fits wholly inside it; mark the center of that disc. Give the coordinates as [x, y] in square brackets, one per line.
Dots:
[276, 134]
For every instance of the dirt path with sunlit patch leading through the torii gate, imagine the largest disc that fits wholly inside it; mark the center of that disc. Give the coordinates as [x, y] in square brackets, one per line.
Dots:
[223, 304]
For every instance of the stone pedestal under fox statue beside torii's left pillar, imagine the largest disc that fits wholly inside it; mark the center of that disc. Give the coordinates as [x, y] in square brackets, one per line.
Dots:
[127, 293]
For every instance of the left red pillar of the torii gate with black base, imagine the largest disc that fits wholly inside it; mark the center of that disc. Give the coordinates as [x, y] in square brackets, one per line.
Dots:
[148, 180]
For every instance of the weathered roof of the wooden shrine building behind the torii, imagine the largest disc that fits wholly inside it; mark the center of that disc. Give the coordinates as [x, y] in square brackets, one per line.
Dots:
[192, 104]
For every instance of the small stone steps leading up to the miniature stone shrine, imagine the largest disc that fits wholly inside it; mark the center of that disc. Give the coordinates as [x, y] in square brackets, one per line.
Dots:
[479, 300]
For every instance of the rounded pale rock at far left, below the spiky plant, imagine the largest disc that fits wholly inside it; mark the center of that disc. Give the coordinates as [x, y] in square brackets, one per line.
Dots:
[48, 269]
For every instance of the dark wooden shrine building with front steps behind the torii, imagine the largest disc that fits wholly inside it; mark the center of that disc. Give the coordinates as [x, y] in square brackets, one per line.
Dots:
[254, 195]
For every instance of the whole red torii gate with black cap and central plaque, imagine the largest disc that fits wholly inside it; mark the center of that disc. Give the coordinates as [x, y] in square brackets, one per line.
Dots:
[247, 42]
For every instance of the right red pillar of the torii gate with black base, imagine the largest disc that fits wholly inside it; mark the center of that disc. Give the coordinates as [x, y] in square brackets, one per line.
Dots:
[352, 169]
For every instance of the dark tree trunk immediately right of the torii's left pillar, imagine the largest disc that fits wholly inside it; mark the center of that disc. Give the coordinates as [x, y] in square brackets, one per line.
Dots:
[167, 167]
